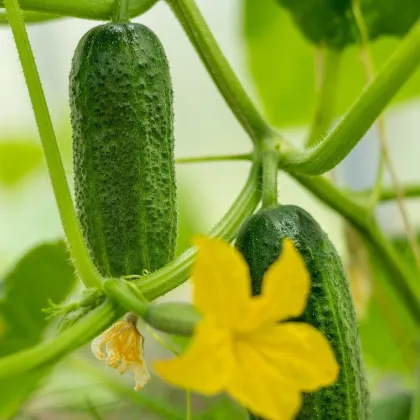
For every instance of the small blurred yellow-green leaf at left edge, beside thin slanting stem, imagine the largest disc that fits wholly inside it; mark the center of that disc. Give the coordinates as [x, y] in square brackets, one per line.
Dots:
[18, 159]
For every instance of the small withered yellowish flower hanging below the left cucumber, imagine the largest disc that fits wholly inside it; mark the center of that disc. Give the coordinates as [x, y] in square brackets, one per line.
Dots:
[124, 349]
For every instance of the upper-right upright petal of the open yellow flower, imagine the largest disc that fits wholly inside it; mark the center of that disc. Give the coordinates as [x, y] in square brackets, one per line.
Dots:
[285, 288]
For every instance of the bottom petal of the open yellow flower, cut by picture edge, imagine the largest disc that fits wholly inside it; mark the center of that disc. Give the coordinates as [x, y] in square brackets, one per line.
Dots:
[257, 385]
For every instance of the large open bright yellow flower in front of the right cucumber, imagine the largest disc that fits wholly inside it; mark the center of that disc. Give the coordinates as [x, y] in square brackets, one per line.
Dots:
[240, 347]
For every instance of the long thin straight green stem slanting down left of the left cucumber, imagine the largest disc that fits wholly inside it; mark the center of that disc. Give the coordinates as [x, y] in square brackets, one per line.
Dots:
[77, 247]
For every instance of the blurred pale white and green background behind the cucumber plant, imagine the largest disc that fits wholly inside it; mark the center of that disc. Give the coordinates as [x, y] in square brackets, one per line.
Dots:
[278, 67]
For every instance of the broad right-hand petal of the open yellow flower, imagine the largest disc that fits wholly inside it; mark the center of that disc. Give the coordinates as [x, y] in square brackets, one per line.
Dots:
[299, 352]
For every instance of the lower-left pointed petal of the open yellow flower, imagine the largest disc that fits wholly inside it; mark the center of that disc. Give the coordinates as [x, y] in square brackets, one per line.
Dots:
[203, 367]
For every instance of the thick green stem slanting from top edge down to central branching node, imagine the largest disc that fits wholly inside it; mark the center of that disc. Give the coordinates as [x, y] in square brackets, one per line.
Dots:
[219, 69]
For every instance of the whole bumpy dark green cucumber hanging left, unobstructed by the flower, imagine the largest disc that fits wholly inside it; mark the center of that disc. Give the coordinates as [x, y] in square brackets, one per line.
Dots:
[122, 119]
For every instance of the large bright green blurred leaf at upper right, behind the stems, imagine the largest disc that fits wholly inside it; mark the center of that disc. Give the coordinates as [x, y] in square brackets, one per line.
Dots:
[282, 64]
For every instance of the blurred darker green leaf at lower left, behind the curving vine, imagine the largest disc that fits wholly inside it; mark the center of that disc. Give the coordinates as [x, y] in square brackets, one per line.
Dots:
[43, 273]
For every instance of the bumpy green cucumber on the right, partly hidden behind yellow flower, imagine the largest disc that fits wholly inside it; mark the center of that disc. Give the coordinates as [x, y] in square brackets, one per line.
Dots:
[330, 308]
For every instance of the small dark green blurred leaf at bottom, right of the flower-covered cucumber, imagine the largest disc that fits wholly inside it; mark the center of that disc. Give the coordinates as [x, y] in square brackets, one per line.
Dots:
[392, 407]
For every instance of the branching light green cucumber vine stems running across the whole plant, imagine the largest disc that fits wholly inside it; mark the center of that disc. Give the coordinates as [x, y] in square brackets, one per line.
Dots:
[270, 153]
